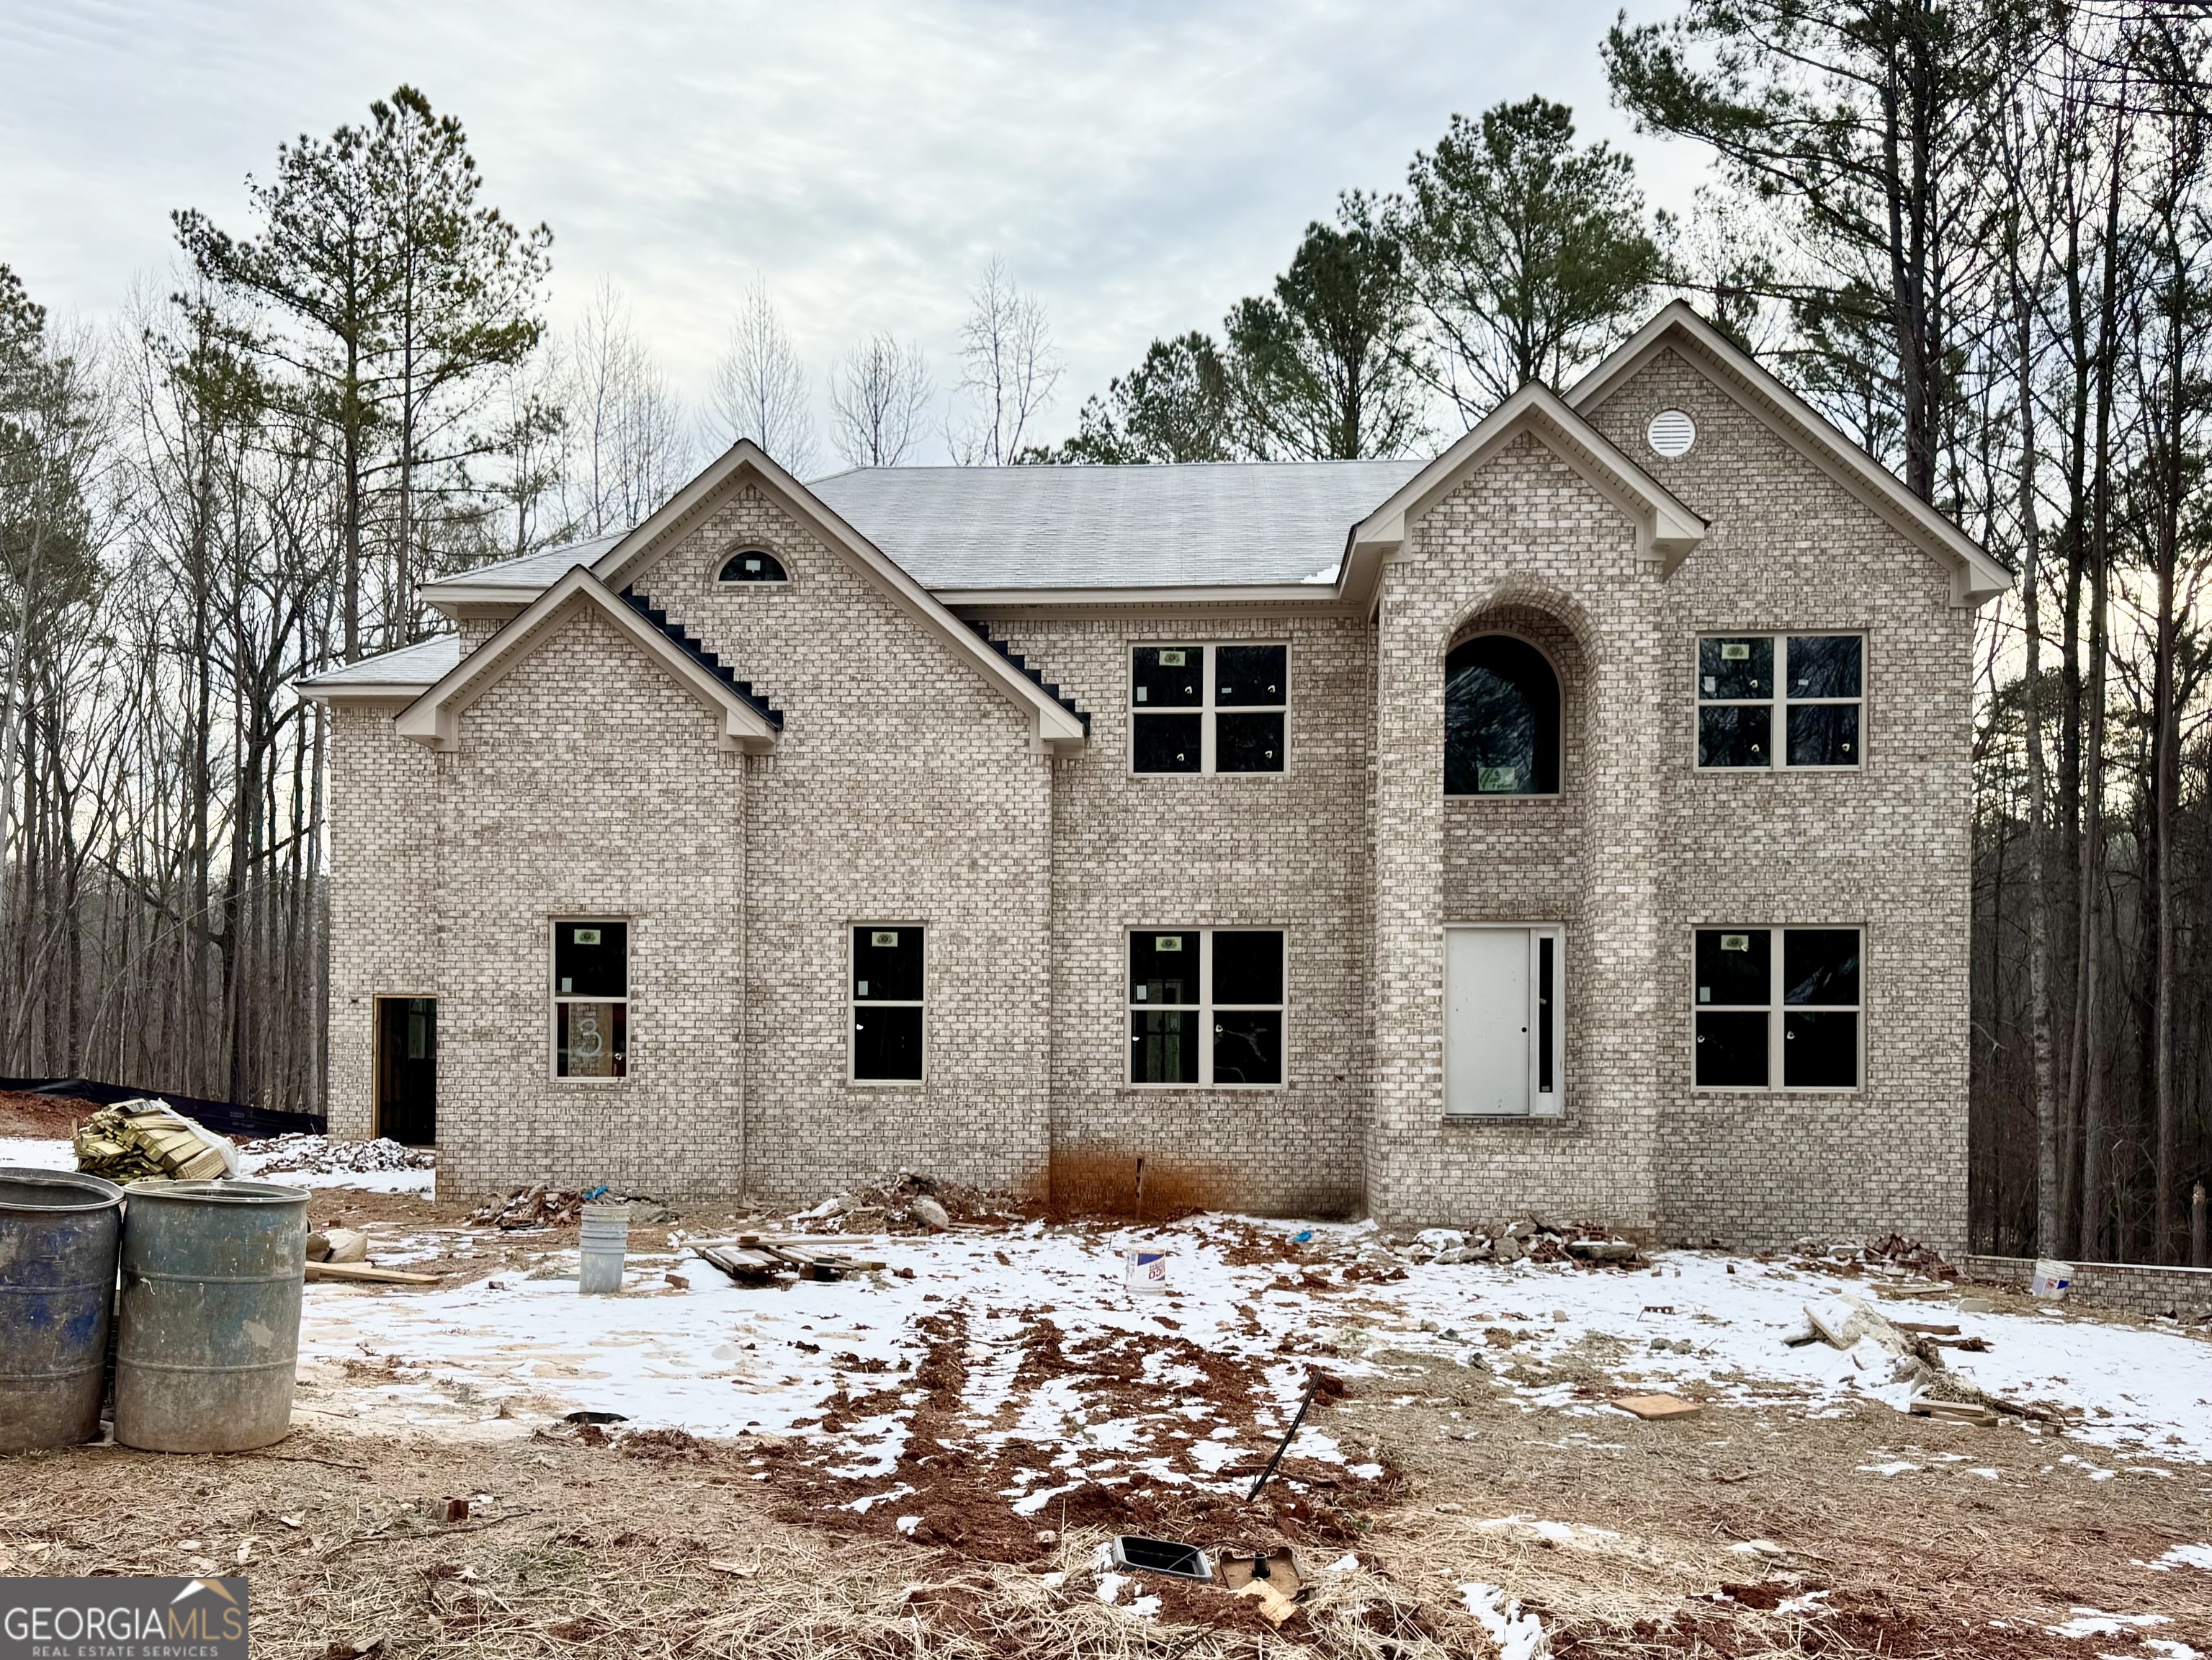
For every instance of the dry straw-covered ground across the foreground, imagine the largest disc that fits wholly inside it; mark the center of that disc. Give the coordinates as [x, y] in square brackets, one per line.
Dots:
[598, 1550]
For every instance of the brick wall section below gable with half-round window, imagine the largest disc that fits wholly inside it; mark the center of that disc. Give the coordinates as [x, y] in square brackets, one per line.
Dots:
[901, 791]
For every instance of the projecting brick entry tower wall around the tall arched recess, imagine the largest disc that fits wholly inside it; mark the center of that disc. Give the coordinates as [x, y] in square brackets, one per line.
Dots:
[1523, 546]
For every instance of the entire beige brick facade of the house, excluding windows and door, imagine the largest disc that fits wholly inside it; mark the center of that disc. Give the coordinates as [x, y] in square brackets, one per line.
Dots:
[906, 791]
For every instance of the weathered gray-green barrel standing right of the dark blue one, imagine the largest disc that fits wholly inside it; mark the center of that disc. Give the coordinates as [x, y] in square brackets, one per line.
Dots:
[209, 1340]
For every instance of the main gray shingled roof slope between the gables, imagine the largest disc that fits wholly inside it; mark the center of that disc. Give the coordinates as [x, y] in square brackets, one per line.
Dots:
[1114, 528]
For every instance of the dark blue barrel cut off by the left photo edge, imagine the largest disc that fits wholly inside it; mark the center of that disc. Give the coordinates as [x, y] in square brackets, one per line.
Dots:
[59, 1241]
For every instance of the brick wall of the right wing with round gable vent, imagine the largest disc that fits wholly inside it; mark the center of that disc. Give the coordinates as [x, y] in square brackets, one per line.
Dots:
[1884, 849]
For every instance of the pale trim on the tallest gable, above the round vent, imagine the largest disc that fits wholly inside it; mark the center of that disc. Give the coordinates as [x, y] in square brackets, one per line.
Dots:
[1974, 574]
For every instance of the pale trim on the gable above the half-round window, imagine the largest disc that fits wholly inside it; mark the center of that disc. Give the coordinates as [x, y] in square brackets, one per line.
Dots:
[1052, 727]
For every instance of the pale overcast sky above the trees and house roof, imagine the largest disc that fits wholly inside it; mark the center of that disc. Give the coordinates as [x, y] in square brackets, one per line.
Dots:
[1140, 167]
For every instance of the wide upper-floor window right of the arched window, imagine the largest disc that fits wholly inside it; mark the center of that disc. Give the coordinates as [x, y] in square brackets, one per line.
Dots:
[1782, 701]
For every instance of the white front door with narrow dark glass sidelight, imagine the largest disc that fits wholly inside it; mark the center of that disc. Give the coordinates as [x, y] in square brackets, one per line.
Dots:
[1503, 1021]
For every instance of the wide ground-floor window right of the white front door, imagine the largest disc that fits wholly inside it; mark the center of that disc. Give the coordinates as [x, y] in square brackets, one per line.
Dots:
[1777, 1008]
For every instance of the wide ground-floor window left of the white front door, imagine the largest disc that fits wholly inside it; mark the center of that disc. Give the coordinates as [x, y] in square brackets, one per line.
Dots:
[1207, 1006]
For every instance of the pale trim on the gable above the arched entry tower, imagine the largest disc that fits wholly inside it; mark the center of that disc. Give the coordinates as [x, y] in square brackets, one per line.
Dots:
[1667, 530]
